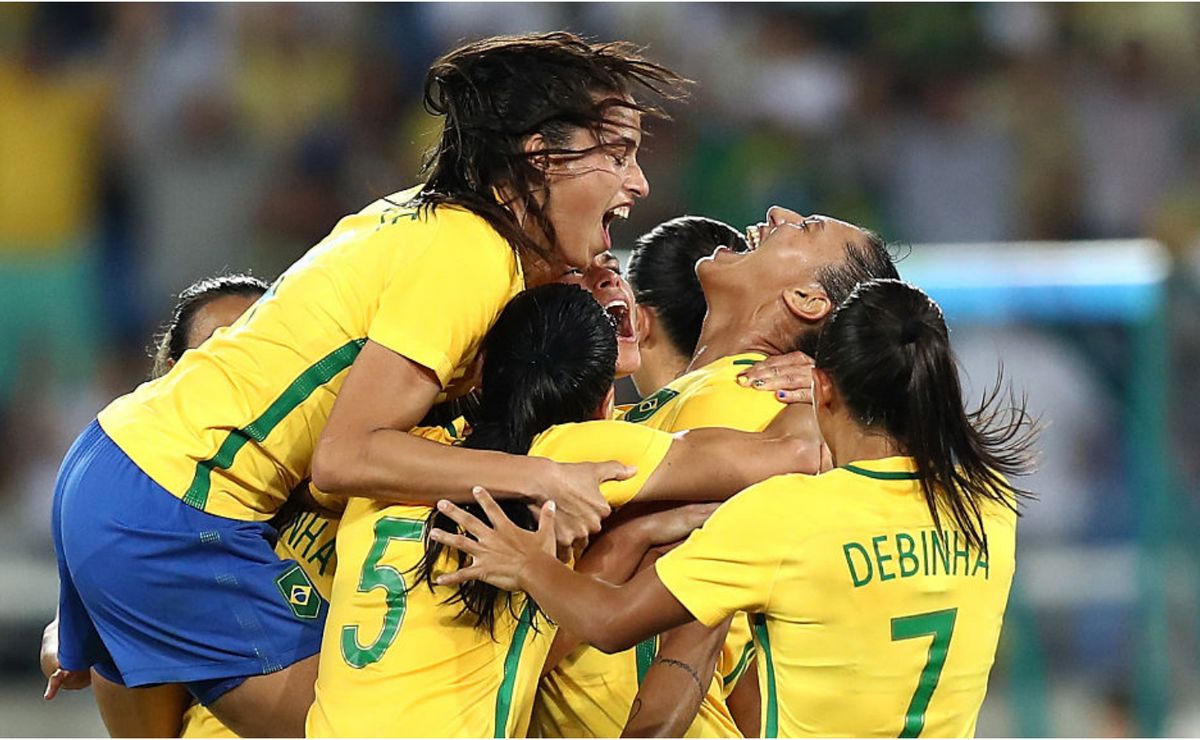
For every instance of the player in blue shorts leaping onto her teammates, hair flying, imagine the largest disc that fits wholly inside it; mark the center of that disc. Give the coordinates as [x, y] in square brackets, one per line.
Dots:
[325, 377]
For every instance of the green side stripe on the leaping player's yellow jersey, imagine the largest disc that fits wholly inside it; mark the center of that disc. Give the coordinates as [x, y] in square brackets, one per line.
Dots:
[319, 375]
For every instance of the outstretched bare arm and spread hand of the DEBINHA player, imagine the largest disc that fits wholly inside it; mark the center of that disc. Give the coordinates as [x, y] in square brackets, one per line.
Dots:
[519, 561]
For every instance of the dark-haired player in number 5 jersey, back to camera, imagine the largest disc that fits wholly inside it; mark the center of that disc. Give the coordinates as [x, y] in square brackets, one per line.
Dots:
[466, 663]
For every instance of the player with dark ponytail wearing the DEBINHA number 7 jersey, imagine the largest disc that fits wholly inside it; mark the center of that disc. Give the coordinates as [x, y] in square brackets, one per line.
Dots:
[877, 610]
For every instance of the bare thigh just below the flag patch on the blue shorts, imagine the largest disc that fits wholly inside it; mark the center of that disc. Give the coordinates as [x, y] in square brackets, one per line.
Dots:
[272, 706]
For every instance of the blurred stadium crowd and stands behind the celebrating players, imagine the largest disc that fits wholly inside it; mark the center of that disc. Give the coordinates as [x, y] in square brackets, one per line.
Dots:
[143, 147]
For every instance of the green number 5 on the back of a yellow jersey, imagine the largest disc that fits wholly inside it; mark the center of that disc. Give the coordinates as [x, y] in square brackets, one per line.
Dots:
[387, 577]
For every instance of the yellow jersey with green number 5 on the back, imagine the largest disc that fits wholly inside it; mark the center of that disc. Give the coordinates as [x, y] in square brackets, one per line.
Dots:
[398, 664]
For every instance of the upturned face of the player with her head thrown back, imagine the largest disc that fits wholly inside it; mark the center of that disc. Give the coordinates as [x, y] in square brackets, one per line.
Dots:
[793, 250]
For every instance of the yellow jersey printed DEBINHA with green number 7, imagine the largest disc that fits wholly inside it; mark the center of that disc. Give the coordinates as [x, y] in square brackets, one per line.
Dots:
[868, 621]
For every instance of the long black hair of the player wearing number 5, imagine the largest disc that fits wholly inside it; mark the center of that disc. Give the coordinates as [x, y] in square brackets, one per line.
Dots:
[550, 359]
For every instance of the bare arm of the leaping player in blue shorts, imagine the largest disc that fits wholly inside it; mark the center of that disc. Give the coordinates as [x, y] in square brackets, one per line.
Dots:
[367, 452]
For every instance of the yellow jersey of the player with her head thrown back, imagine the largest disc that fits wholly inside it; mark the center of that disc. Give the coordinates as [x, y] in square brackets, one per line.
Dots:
[590, 694]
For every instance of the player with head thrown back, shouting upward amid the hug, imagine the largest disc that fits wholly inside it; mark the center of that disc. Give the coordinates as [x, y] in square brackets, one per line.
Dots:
[761, 305]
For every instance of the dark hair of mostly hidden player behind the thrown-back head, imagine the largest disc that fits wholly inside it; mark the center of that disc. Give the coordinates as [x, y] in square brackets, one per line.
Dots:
[663, 273]
